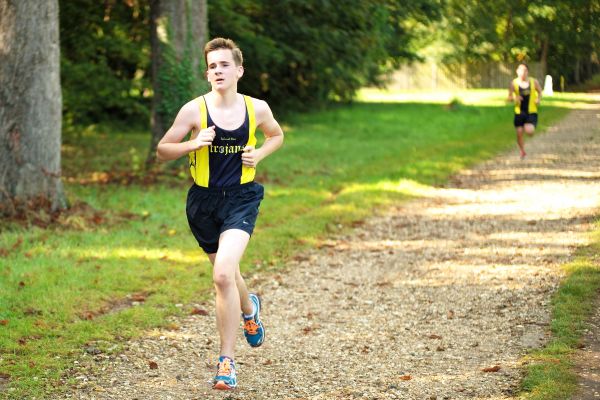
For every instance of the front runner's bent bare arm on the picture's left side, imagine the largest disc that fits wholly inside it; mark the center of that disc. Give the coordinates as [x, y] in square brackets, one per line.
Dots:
[171, 146]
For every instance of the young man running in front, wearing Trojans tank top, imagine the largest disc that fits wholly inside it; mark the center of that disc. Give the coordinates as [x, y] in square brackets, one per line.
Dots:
[223, 202]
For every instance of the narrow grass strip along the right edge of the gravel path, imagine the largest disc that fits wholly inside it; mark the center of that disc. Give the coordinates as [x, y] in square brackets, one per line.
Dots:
[549, 370]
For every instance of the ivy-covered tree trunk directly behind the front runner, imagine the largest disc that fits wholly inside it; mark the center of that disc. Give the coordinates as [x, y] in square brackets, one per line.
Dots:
[178, 32]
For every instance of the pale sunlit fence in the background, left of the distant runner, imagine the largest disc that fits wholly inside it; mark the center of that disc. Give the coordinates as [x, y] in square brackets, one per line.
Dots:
[431, 76]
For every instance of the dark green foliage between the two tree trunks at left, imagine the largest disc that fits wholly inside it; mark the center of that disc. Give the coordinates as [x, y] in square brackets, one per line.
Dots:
[105, 60]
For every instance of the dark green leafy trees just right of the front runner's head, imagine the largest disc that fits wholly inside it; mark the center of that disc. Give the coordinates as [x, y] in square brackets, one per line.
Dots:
[302, 54]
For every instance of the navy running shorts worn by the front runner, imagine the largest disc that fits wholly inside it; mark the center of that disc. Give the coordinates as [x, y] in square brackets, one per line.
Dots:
[212, 211]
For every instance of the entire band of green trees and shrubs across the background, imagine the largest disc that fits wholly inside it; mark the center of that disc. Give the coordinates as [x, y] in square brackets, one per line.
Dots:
[302, 54]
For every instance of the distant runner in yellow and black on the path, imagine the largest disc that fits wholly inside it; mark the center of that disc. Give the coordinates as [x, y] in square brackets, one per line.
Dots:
[526, 93]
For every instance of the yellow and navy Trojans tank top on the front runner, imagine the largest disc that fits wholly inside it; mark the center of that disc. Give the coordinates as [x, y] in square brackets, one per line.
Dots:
[220, 164]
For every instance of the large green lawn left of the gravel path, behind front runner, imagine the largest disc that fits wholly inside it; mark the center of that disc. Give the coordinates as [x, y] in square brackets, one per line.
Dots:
[63, 288]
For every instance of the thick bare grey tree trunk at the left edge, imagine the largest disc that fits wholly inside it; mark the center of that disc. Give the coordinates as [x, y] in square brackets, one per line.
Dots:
[30, 103]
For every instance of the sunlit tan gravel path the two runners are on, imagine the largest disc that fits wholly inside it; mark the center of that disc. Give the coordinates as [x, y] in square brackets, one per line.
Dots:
[414, 304]
